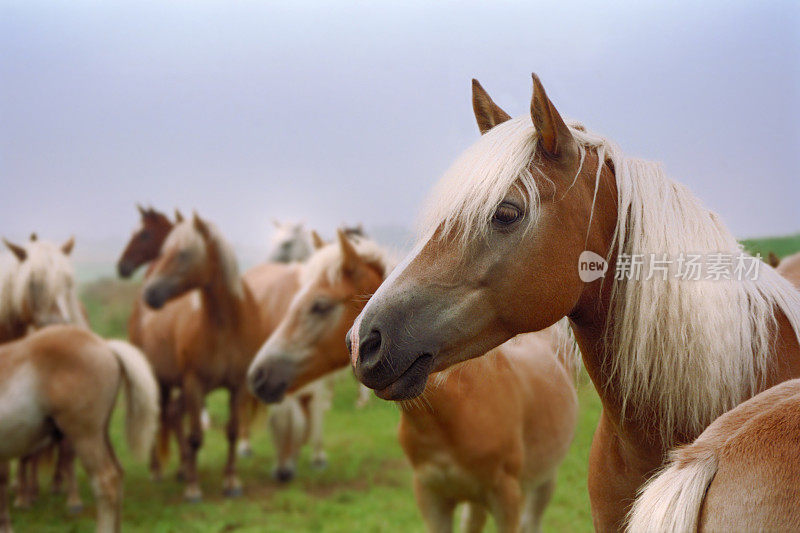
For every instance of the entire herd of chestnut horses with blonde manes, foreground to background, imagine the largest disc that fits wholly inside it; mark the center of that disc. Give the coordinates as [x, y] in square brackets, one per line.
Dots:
[478, 335]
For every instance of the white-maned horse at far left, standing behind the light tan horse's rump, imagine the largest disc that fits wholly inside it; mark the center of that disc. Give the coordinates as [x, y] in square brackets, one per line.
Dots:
[37, 289]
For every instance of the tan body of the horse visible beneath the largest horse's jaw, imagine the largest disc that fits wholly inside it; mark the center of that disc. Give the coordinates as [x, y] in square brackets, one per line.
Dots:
[492, 432]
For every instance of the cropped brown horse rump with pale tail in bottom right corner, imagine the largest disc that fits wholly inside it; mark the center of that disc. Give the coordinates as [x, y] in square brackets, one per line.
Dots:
[741, 474]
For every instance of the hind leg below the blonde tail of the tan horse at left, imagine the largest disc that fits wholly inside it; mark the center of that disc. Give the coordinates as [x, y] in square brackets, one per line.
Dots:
[105, 474]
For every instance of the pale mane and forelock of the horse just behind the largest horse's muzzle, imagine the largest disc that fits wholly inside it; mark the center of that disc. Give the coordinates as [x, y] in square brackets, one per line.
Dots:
[326, 262]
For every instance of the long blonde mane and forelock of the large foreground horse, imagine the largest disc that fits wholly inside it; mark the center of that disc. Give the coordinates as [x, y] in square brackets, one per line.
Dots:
[689, 350]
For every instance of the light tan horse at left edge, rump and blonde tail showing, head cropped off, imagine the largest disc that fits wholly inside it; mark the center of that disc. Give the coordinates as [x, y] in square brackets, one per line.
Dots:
[63, 381]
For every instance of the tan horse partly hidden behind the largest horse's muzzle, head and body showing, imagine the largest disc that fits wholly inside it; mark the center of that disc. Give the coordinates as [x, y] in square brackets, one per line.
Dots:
[490, 431]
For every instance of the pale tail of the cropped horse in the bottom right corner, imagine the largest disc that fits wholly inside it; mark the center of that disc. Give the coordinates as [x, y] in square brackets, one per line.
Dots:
[670, 501]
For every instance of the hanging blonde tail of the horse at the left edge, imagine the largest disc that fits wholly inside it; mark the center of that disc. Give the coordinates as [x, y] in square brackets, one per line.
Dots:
[141, 391]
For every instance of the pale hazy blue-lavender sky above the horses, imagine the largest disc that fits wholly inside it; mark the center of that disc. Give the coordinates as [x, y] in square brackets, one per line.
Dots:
[334, 112]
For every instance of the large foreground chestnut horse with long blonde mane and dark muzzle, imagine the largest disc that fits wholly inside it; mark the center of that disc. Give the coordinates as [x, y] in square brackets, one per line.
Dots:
[499, 255]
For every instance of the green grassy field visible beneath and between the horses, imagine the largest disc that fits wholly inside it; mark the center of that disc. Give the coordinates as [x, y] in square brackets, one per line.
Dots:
[366, 487]
